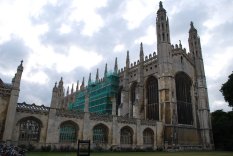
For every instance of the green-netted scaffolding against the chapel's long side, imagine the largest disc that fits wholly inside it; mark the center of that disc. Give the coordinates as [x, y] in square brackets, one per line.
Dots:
[100, 94]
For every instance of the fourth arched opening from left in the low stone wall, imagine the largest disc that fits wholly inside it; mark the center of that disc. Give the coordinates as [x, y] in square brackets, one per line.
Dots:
[126, 136]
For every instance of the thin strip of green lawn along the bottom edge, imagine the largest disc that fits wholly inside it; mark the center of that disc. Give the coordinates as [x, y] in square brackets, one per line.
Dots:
[134, 154]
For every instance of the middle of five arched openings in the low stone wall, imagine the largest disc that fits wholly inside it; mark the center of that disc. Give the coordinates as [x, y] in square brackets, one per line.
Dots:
[100, 134]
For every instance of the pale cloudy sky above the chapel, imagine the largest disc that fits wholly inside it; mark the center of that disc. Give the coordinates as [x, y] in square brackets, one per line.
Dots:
[71, 38]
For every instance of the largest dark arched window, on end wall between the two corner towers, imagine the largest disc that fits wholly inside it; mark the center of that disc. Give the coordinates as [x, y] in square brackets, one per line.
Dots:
[183, 96]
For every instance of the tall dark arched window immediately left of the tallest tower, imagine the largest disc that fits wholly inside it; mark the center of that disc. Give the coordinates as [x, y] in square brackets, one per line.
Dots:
[152, 99]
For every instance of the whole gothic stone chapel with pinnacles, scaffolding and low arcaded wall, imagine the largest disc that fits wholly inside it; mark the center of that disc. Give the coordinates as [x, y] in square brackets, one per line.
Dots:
[160, 101]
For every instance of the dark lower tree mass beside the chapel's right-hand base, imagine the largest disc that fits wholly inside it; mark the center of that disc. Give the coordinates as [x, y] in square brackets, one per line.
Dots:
[222, 125]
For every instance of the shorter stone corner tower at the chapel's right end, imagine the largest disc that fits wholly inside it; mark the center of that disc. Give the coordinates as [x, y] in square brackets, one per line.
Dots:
[201, 98]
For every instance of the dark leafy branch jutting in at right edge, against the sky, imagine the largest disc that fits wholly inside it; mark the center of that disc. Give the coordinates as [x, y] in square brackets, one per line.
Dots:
[227, 90]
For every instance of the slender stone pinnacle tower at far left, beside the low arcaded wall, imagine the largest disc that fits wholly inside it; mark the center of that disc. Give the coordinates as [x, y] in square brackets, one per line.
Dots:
[11, 110]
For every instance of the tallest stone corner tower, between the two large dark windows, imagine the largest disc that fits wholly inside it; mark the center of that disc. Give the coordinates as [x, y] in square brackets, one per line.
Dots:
[166, 80]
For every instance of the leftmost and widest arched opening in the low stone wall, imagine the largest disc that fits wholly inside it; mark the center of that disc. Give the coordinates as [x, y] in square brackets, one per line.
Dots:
[29, 130]
